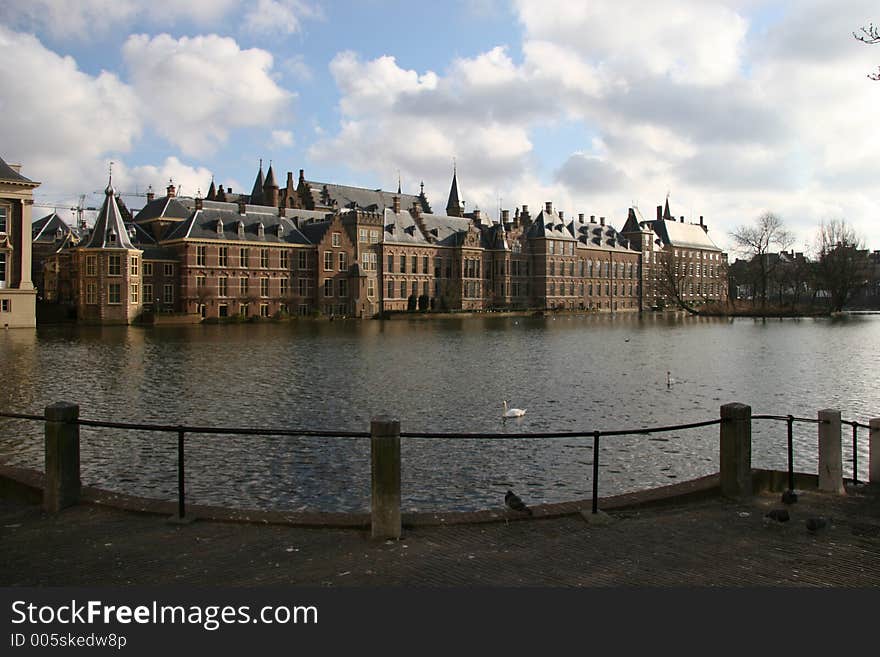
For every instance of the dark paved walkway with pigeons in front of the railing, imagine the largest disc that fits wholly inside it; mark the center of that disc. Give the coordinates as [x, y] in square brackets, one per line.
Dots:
[713, 542]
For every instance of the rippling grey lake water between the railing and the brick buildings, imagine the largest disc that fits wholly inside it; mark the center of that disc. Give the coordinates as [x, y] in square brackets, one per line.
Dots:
[570, 373]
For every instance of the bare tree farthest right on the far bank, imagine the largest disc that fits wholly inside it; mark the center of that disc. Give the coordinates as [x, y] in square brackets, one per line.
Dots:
[842, 266]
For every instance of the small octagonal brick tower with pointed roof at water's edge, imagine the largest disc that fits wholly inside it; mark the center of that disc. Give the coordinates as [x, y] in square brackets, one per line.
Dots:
[109, 269]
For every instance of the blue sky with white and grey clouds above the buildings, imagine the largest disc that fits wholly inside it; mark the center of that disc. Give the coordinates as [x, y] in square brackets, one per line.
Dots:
[731, 108]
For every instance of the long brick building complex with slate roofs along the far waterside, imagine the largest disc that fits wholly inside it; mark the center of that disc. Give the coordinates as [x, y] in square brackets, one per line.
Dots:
[336, 250]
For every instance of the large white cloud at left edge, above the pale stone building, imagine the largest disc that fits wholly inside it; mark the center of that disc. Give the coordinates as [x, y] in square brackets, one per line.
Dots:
[59, 122]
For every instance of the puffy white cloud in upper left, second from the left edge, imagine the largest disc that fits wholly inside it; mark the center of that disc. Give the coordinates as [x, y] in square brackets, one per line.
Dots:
[195, 90]
